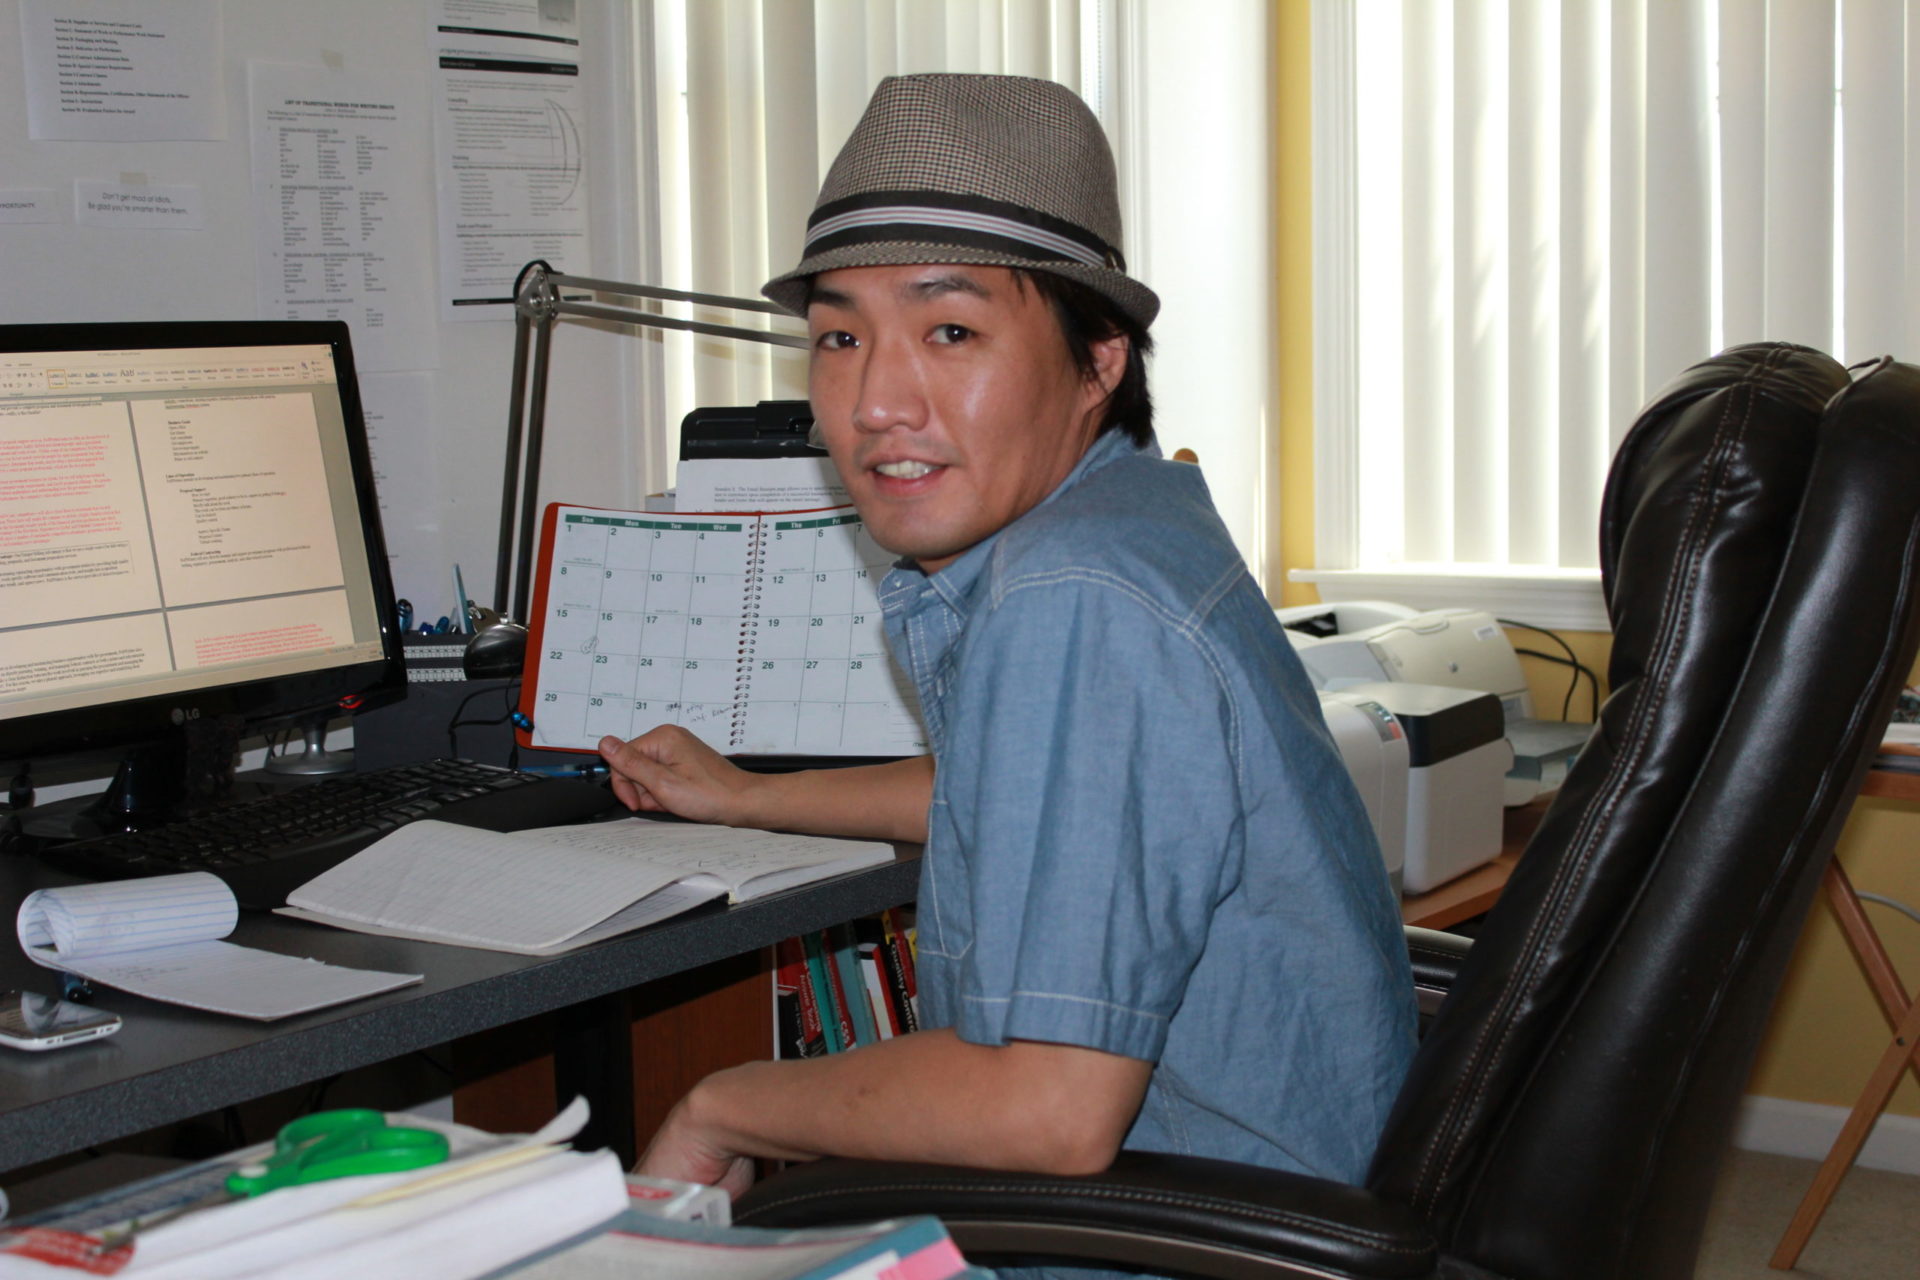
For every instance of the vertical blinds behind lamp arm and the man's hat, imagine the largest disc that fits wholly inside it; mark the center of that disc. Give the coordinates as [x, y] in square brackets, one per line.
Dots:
[752, 105]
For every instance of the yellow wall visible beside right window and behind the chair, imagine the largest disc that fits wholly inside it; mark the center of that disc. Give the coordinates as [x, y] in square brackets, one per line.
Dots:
[1827, 1030]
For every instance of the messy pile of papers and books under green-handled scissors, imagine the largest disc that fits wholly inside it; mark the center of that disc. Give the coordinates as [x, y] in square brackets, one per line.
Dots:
[519, 1206]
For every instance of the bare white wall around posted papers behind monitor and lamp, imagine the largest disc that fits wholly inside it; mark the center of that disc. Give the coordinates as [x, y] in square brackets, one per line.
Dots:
[64, 273]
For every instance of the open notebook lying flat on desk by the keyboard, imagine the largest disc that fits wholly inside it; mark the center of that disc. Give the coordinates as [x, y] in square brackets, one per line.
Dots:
[548, 891]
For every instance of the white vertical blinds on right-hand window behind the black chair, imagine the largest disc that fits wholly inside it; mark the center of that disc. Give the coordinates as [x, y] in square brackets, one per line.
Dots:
[1531, 214]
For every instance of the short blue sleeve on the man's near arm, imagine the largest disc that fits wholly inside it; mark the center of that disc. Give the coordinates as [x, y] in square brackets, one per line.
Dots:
[1097, 815]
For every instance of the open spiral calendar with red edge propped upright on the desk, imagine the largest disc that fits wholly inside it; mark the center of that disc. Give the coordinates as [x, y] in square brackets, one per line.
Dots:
[759, 632]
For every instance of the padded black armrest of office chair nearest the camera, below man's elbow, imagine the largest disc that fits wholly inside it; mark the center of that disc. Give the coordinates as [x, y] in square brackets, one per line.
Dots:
[1176, 1214]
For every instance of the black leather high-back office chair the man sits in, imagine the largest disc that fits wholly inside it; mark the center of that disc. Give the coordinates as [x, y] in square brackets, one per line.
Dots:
[1572, 1101]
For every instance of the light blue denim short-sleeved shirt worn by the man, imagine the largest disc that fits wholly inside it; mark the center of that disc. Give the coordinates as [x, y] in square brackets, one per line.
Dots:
[1143, 840]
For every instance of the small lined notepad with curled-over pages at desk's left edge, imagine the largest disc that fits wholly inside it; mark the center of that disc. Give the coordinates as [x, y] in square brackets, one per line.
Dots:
[160, 939]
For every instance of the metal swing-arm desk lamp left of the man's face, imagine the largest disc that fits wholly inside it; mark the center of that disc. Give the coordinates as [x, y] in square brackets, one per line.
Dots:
[498, 646]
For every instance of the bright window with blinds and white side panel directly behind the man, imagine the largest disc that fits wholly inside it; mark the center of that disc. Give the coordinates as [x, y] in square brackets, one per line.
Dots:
[752, 101]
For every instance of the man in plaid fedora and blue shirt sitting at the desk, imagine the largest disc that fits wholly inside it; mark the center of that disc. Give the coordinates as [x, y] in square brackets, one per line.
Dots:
[1151, 911]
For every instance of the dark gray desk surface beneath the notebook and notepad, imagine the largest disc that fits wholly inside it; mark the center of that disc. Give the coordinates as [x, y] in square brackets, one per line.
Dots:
[170, 1064]
